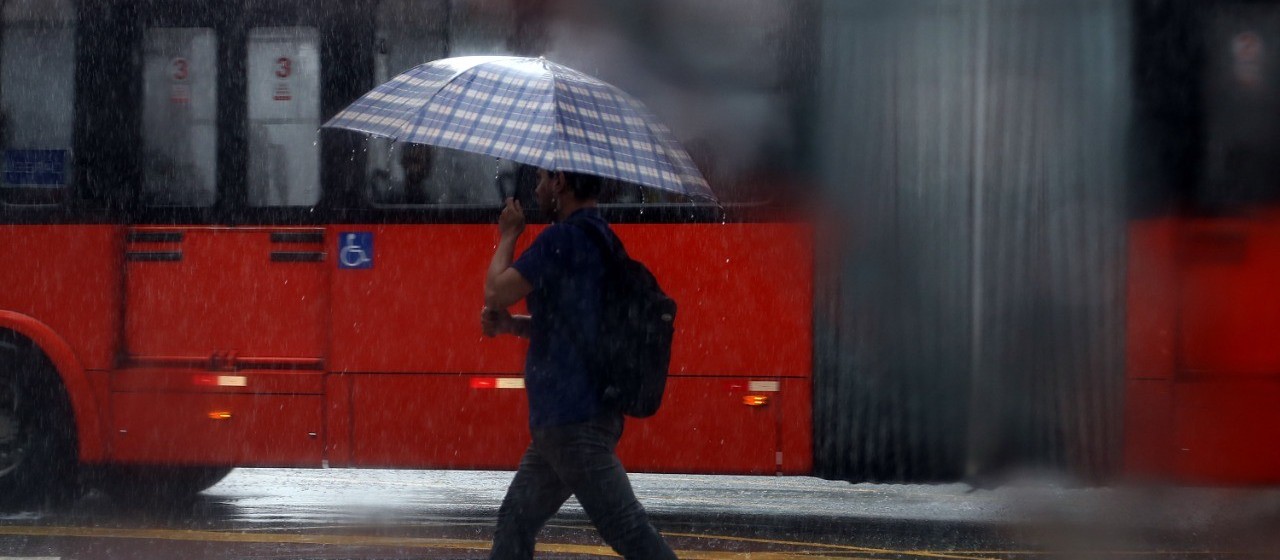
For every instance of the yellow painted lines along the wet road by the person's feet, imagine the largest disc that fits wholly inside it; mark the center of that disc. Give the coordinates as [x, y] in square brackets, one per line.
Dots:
[454, 544]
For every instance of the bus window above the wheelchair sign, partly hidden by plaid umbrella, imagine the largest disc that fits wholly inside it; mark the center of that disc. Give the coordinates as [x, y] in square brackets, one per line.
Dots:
[412, 33]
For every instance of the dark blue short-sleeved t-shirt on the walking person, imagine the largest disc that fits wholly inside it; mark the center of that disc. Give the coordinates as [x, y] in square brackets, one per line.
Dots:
[565, 268]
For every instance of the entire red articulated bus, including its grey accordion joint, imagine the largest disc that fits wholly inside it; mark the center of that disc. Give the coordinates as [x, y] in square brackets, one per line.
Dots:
[195, 278]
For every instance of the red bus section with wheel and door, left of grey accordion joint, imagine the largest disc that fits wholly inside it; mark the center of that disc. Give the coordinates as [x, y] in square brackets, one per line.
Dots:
[196, 279]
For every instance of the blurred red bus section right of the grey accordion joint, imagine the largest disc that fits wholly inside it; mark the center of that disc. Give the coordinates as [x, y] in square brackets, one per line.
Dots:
[1203, 383]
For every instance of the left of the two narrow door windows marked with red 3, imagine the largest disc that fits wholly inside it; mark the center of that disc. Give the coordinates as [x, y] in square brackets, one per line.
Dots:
[180, 107]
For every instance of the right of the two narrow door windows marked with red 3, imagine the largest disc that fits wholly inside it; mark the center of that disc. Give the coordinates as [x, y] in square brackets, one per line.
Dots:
[284, 117]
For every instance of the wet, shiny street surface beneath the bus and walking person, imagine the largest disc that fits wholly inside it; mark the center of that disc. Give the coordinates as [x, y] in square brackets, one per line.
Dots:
[396, 515]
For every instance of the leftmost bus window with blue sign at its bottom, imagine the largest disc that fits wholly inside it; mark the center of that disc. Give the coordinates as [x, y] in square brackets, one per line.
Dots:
[38, 65]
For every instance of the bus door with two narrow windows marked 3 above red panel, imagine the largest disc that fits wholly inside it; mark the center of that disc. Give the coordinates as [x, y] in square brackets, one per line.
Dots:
[226, 324]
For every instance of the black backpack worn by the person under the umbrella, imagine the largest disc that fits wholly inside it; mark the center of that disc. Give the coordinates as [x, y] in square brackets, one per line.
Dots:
[638, 322]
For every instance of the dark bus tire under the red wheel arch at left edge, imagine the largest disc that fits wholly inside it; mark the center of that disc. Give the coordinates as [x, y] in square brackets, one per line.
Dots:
[39, 462]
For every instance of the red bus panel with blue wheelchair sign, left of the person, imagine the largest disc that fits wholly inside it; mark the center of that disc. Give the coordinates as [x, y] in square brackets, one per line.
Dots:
[406, 338]
